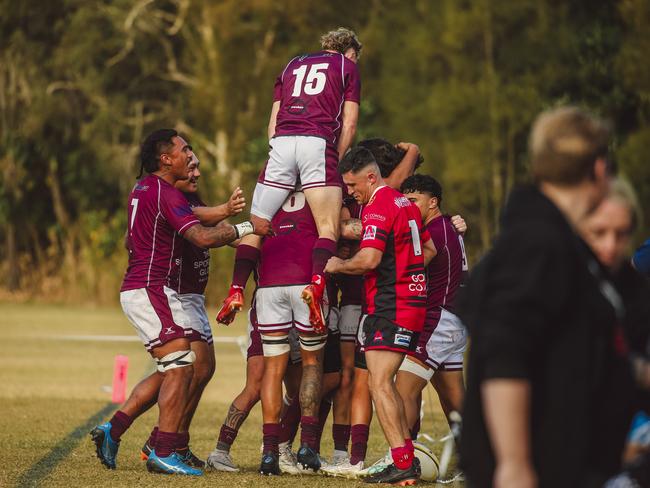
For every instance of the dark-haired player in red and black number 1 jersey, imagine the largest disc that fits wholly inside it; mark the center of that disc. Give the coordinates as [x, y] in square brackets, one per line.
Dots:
[394, 251]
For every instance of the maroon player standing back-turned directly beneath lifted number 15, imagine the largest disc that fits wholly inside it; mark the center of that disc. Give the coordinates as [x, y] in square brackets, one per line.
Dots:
[283, 271]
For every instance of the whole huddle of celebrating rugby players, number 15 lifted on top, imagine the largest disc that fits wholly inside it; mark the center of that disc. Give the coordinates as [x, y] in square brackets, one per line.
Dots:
[356, 270]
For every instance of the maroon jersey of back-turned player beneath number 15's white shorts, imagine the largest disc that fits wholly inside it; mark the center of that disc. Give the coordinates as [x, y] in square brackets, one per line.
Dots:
[285, 258]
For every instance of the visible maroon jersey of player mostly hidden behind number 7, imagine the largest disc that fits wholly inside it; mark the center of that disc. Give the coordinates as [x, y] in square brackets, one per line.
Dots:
[195, 261]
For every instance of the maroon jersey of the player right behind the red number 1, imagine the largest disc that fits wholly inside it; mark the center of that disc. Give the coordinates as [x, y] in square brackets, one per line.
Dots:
[444, 272]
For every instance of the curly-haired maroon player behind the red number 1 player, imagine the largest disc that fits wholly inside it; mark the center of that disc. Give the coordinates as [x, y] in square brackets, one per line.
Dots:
[439, 354]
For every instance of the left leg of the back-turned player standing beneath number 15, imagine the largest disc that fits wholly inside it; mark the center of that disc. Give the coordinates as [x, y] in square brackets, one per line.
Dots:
[276, 355]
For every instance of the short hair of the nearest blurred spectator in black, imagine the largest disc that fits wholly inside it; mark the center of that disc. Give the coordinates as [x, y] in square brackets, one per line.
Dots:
[565, 143]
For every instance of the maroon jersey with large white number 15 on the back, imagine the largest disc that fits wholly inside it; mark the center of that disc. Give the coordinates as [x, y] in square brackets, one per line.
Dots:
[311, 90]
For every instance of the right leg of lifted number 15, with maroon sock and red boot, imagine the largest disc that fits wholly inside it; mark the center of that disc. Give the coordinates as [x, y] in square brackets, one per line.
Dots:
[325, 203]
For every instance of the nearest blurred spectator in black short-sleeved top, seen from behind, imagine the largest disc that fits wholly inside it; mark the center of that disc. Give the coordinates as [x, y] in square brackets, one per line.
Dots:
[548, 352]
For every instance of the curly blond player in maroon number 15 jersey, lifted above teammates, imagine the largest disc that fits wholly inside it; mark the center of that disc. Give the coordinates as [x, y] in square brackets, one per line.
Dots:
[313, 122]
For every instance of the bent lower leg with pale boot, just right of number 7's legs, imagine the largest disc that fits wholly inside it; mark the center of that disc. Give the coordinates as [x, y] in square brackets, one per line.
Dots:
[237, 413]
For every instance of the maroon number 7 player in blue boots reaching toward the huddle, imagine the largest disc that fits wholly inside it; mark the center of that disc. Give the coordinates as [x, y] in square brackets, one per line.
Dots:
[159, 217]
